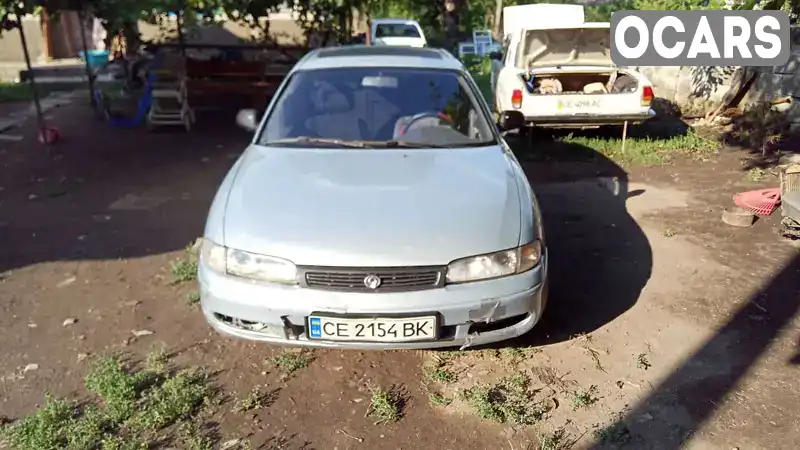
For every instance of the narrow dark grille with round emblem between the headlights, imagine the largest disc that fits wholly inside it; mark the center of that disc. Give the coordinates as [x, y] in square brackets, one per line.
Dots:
[391, 279]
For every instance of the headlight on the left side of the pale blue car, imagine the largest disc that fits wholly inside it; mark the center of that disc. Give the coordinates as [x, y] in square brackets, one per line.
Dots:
[247, 265]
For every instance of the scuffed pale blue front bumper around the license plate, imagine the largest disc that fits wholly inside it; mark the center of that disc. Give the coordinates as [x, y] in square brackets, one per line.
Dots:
[469, 314]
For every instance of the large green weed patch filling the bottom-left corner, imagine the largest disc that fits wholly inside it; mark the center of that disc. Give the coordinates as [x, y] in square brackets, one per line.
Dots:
[134, 406]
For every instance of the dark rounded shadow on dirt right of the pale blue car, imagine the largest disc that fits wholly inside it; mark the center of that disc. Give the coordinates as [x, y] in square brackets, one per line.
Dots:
[599, 257]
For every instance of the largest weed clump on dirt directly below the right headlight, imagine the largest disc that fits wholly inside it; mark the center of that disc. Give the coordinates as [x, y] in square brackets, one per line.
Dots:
[511, 400]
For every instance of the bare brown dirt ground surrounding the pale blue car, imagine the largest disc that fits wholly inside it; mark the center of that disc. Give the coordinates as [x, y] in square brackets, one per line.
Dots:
[665, 329]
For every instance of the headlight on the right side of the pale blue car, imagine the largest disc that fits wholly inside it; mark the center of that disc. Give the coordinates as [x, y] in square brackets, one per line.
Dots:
[495, 265]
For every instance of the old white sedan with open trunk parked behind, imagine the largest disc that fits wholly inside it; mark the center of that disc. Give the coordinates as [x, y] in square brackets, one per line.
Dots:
[560, 75]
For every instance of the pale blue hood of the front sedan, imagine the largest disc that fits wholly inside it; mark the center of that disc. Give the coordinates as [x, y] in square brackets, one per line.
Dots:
[373, 207]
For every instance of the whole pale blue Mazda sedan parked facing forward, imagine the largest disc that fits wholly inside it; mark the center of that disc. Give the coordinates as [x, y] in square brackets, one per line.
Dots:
[377, 206]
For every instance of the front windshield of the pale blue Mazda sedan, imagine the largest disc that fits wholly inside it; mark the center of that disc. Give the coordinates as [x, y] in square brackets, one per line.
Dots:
[370, 107]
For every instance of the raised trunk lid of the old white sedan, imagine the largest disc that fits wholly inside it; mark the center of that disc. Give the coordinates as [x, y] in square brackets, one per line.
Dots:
[587, 44]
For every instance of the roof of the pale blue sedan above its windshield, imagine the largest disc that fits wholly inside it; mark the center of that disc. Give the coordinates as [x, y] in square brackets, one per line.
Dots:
[378, 56]
